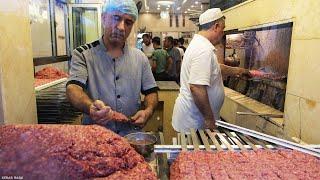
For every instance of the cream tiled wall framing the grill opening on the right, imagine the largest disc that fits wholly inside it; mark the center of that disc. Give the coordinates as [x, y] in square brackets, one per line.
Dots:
[302, 108]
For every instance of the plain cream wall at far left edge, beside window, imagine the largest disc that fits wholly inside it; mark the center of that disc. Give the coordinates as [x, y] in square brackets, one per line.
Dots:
[16, 66]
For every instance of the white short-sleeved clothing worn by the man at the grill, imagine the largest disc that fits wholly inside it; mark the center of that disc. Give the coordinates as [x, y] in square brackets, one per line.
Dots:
[200, 66]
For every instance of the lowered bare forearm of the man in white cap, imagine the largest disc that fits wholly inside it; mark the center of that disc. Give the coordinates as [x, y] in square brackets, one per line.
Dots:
[201, 99]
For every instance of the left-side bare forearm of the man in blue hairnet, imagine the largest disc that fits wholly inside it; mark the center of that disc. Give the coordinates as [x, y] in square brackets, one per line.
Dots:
[78, 98]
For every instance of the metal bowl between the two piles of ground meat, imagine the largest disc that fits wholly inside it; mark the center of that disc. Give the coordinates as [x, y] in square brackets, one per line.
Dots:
[142, 142]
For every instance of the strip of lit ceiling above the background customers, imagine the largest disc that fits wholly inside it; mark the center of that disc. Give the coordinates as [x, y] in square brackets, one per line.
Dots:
[174, 6]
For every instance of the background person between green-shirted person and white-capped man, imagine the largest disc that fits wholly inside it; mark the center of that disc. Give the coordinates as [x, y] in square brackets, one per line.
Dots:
[174, 53]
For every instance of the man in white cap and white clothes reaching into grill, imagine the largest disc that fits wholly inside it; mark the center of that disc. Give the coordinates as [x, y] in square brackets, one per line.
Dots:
[202, 93]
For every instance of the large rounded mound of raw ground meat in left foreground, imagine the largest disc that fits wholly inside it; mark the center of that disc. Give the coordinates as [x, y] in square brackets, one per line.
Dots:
[68, 152]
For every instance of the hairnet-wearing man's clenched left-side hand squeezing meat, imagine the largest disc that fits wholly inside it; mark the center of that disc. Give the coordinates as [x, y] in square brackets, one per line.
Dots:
[100, 113]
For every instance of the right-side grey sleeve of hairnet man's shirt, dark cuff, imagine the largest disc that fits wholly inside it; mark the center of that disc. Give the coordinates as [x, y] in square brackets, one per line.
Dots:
[148, 83]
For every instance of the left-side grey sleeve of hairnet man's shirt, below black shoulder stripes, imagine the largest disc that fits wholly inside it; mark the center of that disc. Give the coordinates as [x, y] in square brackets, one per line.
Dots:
[78, 73]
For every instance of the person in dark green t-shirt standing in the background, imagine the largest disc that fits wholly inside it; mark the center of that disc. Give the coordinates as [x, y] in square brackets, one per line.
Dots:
[162, 62]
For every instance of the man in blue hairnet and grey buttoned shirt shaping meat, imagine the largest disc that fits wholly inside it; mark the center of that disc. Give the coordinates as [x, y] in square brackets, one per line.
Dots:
[107, 76]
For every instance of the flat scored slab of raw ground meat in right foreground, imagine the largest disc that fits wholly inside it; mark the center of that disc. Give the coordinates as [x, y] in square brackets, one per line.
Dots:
[261, 164]
